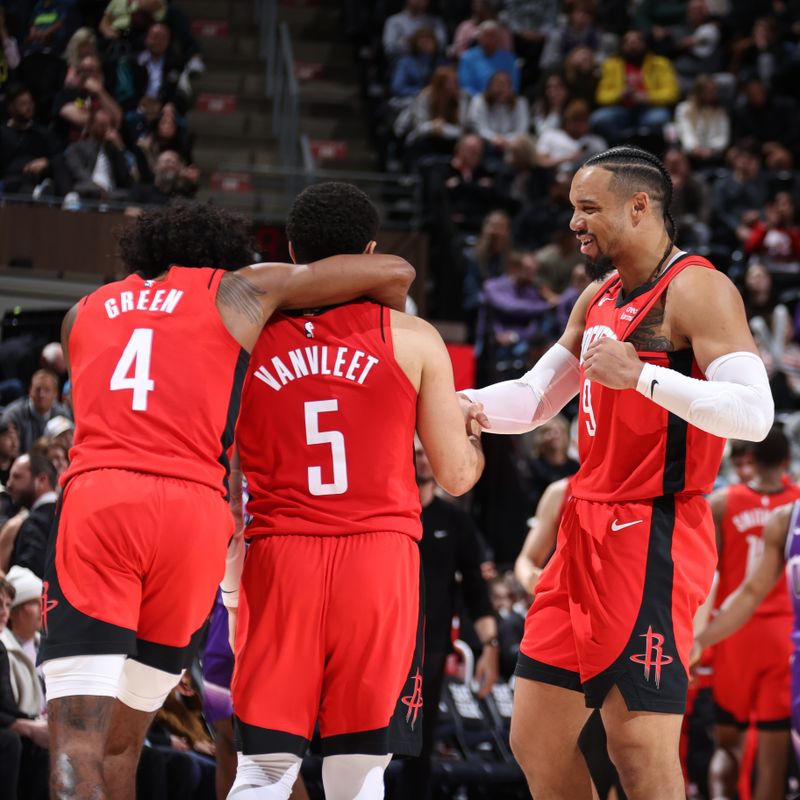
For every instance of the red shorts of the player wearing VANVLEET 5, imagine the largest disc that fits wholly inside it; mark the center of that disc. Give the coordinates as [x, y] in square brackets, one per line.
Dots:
[329, 630]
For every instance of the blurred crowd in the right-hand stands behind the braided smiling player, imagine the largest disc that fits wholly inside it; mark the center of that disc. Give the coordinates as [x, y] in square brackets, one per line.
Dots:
[495, 103]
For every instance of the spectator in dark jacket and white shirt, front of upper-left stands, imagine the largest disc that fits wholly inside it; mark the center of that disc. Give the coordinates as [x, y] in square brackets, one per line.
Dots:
[97, 164]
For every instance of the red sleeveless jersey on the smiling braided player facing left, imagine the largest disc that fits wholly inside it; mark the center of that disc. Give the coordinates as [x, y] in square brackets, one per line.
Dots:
[630, 447]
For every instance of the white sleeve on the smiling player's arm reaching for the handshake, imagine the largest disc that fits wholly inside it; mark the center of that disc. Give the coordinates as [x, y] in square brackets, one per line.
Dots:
[522, 405]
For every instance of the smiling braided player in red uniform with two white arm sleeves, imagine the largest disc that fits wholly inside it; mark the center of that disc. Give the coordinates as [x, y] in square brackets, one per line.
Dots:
[665, 364]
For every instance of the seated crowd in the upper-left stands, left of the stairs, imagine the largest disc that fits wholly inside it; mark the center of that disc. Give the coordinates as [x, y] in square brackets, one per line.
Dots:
[93, 98]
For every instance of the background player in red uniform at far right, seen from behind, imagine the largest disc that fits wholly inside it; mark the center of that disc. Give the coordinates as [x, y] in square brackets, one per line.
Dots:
[751, 668]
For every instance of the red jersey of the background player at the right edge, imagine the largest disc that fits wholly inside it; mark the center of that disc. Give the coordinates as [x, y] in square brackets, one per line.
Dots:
[746, 511]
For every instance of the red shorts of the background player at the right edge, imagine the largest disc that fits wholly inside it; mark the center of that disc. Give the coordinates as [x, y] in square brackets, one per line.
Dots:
[752, 675]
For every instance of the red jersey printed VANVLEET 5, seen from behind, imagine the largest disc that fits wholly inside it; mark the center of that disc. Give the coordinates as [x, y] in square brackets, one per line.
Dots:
[326, 430]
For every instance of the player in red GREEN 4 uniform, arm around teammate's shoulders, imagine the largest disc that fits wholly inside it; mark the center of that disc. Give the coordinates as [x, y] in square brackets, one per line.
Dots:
[157, 362]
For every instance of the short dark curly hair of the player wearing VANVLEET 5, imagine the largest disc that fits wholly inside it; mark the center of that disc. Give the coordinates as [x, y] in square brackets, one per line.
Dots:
[329, 219]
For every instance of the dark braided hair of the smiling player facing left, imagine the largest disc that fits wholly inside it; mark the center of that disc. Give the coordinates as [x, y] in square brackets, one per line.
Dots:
[634, 169]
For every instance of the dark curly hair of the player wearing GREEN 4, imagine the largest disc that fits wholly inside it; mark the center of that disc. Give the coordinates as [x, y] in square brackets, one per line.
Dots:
[187, 234]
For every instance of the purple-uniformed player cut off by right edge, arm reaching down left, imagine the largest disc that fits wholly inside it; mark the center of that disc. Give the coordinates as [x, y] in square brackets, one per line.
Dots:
[781, 540]
